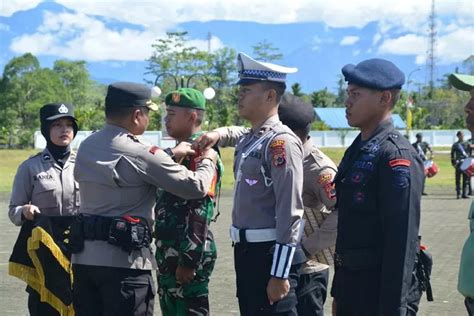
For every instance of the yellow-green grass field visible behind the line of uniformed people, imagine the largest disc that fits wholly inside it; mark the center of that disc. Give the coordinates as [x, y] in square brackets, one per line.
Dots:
[11, 159]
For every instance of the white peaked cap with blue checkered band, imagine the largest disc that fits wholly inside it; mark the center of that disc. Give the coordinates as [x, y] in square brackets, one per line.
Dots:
[251, 69]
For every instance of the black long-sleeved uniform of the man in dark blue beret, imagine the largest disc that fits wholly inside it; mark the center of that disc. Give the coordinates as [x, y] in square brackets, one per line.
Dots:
[379, 185]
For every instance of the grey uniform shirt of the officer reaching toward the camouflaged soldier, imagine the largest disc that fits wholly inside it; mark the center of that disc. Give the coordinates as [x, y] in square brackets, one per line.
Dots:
[119, 175]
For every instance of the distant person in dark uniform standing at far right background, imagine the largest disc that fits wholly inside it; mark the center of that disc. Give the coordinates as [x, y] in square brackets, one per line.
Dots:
[459, 152]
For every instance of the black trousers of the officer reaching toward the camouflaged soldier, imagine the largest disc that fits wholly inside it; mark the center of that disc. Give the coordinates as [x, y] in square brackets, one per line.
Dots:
[111, 291]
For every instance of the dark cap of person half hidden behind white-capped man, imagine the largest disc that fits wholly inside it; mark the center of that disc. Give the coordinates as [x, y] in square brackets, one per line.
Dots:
[295, 113]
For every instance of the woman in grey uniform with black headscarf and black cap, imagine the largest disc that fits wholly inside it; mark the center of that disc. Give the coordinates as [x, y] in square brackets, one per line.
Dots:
[44, 183]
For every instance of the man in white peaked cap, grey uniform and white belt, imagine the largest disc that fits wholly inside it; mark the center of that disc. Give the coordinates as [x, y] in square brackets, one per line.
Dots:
[268, 207]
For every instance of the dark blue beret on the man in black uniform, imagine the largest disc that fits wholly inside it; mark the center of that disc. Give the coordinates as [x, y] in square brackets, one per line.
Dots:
[379, 74]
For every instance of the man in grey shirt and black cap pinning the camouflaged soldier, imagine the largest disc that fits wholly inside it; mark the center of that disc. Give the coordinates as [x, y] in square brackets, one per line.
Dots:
[119, 175]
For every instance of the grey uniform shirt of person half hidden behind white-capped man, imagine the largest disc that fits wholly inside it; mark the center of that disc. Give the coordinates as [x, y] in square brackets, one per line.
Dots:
[319, 199]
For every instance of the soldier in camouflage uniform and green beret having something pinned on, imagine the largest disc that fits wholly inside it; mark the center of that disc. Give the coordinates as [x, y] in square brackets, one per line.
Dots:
[186, 251]
